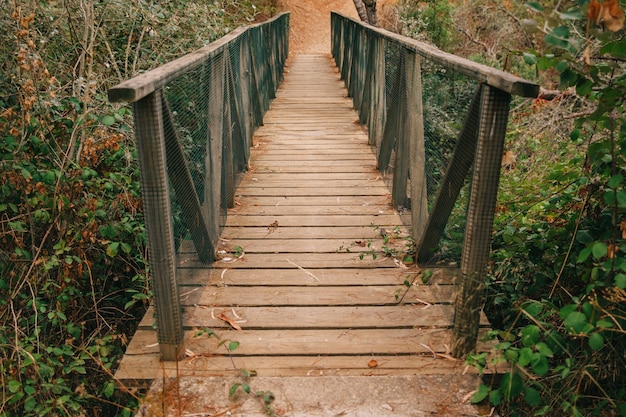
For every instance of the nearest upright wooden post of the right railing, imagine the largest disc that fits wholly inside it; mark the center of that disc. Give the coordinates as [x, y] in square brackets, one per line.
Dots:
[494, 113]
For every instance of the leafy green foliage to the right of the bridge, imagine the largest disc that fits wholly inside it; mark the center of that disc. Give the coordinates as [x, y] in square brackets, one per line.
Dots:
[559, 274]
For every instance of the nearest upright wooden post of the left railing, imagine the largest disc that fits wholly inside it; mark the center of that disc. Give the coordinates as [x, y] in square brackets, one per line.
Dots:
[157, 211]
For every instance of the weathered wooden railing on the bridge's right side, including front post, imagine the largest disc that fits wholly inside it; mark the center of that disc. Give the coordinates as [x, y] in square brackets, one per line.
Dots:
[394, 115]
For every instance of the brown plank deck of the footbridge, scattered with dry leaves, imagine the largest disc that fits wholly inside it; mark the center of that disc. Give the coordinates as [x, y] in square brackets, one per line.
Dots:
[304, 300]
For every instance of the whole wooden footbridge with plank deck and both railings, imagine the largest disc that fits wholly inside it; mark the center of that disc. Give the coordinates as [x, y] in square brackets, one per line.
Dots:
[288, 250]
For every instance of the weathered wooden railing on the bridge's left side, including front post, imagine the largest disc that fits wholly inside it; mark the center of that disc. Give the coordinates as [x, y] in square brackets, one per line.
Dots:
[202, 107]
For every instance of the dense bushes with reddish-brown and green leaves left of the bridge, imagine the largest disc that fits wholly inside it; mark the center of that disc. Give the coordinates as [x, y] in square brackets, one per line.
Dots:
[73, 276]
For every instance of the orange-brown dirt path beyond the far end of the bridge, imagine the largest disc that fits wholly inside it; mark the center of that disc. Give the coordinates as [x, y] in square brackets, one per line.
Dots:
[310, 23]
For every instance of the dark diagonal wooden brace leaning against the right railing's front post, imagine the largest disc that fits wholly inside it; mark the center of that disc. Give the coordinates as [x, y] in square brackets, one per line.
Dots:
[453, 181]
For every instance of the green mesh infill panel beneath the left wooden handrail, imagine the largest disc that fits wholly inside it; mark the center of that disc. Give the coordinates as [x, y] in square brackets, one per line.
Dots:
[214, 109]
